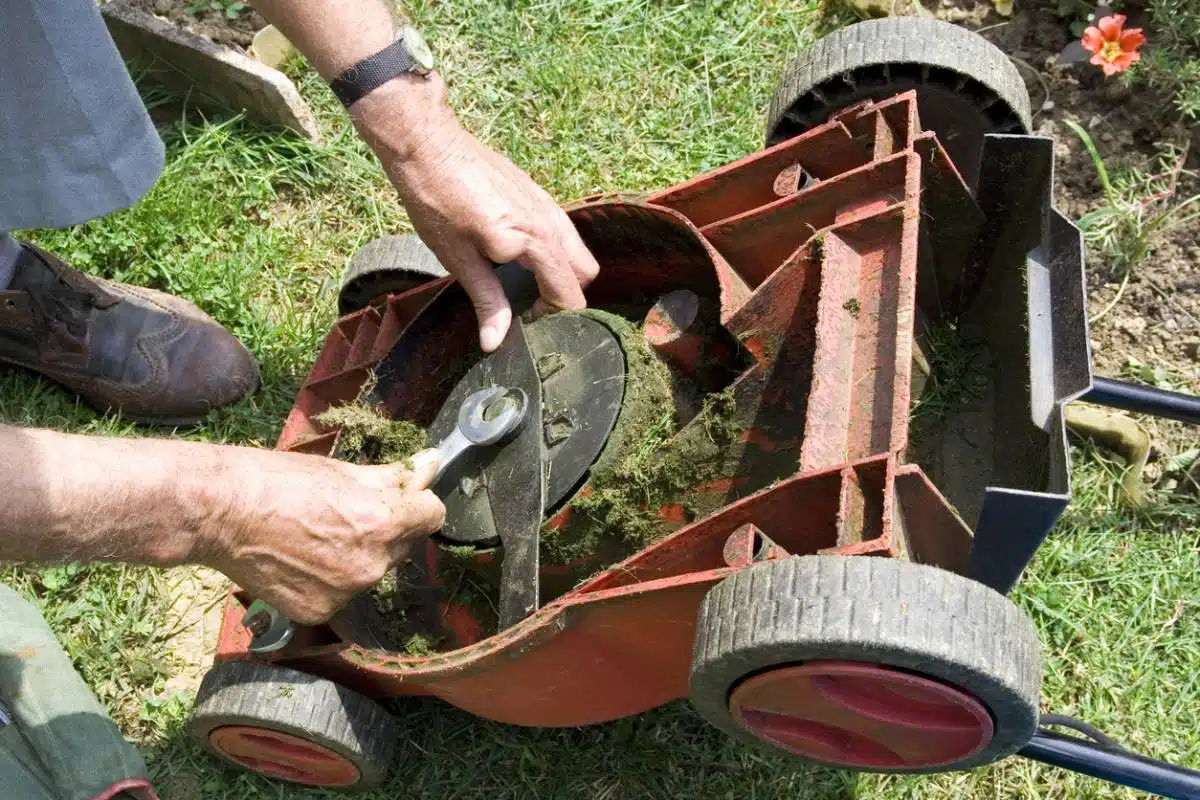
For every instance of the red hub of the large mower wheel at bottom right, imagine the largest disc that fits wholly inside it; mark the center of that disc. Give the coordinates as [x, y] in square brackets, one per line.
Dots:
[860, 715]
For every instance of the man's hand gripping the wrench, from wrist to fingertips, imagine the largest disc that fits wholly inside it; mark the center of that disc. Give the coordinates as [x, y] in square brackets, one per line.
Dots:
[309, 533]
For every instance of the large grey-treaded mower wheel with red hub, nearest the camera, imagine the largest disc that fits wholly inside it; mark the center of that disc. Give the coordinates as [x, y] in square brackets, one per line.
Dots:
[867, 664]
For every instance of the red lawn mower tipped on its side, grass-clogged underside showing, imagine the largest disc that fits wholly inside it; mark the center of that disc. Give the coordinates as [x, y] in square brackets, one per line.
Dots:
[746, 478]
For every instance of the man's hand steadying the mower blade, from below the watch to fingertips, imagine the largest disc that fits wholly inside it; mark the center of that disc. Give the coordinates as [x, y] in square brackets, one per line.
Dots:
[471, 206]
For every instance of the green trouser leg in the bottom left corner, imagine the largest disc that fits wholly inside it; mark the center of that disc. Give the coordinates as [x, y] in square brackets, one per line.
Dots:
[61, 745]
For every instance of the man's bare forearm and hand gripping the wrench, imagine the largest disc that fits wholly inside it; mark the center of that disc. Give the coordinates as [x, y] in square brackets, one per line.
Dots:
[304, 533]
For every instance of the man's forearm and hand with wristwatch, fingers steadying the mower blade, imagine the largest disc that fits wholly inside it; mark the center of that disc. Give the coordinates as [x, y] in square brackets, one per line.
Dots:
[472, 207]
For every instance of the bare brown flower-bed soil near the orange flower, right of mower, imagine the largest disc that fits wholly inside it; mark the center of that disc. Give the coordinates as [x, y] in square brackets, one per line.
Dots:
[1157, 318]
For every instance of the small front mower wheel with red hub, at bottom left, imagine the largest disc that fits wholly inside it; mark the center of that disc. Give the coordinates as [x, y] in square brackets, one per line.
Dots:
[293, 726]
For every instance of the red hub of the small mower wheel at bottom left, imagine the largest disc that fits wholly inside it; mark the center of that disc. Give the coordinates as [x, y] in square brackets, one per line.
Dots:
[284, 756]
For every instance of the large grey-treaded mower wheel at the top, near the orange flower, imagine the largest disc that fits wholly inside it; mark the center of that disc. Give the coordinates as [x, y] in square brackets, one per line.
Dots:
[967, 87]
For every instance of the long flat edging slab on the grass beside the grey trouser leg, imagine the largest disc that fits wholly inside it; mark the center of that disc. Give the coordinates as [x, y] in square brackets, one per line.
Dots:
[212, 76]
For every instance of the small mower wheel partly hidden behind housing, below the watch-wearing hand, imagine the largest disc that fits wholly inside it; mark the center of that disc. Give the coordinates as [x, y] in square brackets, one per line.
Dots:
[387, 266]
